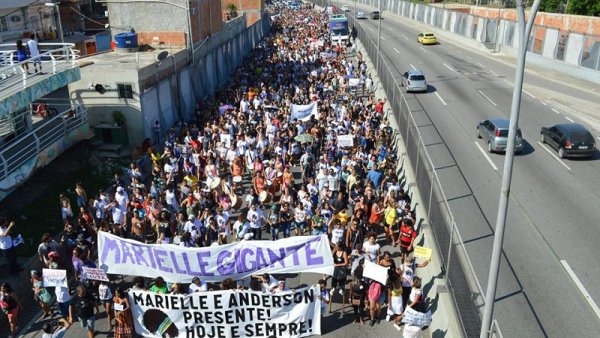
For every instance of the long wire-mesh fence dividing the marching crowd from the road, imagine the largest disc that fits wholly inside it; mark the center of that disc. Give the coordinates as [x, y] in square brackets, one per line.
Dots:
[462, 282]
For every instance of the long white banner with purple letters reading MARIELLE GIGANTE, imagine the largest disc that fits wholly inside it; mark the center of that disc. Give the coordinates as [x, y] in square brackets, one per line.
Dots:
[238, 260]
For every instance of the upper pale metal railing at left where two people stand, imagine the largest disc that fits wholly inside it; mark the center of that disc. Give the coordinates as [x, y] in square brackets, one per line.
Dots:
[53, 57]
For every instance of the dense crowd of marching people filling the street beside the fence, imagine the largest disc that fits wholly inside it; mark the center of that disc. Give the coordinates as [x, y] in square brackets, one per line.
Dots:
[243, 168]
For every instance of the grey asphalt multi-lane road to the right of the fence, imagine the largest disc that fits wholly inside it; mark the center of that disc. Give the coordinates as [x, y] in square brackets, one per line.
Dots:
[554, 204]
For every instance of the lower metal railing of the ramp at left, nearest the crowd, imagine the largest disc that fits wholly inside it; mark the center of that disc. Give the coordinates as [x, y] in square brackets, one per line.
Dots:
[46, 132]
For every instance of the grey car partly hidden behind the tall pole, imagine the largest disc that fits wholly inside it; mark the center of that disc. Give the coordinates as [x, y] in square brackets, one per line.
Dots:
[495, 133]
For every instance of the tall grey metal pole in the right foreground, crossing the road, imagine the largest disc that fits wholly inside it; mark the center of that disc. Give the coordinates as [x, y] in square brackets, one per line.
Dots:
[524, 30]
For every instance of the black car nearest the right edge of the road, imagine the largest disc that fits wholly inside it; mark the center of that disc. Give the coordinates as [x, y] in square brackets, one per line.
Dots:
[570, 140]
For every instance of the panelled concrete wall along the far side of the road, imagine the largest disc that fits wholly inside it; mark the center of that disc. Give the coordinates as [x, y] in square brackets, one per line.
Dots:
[567, 41]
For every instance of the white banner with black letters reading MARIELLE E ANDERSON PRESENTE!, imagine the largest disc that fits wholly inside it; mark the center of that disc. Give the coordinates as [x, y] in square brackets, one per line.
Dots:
[227, 314]
